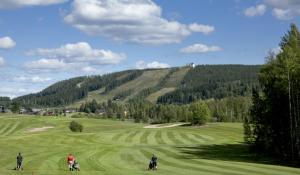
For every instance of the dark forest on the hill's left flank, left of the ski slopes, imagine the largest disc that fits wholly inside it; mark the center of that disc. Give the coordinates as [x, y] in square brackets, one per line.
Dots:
[68, 91]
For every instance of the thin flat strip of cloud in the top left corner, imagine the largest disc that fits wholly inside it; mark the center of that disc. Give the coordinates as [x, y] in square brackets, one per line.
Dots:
[10, 4]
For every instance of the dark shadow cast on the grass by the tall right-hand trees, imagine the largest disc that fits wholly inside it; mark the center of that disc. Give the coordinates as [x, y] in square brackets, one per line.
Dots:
[230, 152]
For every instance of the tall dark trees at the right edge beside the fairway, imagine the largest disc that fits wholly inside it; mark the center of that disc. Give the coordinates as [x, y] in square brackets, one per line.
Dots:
[274, 123]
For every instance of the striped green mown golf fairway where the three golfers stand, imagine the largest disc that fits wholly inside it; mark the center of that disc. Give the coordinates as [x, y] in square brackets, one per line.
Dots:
[115, 148]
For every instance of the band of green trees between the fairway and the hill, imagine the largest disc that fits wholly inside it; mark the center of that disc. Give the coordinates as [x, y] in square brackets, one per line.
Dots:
[231, 109]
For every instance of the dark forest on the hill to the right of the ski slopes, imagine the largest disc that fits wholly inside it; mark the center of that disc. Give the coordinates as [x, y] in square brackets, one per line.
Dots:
[214, 81]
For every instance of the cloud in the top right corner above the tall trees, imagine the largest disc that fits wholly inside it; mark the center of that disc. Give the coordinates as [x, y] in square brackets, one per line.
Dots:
[284, 9]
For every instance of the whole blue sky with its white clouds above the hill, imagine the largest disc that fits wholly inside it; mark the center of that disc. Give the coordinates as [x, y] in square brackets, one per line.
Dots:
[45, 41]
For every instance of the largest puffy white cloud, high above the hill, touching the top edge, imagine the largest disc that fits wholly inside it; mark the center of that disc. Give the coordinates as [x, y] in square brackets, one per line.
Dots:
[138, 21]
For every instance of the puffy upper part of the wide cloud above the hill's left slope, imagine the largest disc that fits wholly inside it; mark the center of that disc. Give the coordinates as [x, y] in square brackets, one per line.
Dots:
[79, 53]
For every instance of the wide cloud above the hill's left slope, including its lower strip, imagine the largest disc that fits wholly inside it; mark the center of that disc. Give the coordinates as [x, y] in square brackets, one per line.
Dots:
[72, 56]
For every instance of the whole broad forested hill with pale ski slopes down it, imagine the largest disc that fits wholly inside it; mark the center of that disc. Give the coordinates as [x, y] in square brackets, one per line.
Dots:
[173, 85]
